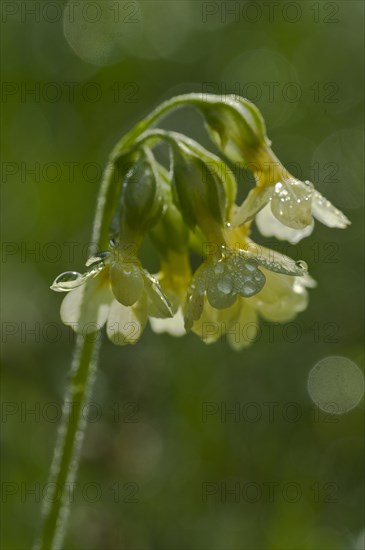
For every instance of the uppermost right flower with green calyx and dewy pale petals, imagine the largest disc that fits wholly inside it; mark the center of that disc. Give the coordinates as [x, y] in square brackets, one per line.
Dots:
[283, 205]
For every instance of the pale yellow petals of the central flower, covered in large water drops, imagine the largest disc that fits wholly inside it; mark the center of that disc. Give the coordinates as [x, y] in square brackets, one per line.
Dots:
[228, 294]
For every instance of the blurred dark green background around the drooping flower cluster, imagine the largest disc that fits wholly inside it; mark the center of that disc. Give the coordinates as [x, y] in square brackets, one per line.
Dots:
[162, 453]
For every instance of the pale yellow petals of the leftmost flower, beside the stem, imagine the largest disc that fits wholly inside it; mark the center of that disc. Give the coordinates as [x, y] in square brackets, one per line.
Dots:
[115, 291]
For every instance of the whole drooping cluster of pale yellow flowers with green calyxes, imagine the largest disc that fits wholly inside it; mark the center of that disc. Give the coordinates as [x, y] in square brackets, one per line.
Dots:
[188, 208]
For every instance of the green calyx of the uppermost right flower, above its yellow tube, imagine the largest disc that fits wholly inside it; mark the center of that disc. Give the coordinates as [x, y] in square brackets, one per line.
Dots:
[236, 126]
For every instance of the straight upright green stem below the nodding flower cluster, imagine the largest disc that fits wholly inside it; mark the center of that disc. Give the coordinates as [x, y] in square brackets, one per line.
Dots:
[66, 456]
